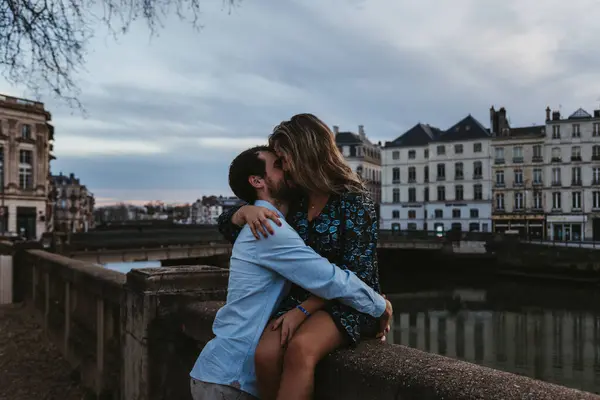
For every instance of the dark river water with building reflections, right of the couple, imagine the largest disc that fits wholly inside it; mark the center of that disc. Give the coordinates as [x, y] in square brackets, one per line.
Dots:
[546, 331]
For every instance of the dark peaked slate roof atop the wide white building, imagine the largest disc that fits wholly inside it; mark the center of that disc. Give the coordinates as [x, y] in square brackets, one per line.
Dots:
[420, 135]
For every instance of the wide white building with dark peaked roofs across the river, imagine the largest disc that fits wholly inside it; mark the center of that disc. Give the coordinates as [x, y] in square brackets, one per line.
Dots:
[434, 179]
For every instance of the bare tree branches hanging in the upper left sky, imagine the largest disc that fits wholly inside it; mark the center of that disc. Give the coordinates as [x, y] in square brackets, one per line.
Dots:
[43, 42]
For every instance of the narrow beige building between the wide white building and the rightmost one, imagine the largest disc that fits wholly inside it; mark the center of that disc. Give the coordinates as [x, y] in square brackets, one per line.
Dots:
[518, 172]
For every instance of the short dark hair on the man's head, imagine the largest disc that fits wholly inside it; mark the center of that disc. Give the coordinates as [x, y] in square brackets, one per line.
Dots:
[243, 167]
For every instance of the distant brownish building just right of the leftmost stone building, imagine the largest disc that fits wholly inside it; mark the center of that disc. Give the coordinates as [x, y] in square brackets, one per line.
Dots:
[73, 209]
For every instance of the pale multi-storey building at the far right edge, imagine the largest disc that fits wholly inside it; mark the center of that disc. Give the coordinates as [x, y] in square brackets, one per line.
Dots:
[572, 175]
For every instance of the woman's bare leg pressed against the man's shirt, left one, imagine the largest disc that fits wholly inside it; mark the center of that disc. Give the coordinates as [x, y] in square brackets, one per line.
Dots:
[268, 362]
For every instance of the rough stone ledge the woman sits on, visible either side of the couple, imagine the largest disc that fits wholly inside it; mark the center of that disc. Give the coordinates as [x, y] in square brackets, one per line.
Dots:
[381, 371]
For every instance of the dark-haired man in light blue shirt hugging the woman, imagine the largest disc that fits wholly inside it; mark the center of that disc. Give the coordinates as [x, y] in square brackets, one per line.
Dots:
[260, 275]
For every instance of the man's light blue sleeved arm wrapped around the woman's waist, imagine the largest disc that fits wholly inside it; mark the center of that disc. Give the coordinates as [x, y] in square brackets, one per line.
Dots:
[286, 254]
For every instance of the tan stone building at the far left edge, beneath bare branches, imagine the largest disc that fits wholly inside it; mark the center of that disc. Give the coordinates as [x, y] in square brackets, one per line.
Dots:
[25, 152]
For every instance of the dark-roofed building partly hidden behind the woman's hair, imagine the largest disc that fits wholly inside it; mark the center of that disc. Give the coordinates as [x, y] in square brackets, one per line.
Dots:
[363, 157]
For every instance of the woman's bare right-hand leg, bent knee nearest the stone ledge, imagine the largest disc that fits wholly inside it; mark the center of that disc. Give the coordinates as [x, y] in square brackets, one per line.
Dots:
[314, 339]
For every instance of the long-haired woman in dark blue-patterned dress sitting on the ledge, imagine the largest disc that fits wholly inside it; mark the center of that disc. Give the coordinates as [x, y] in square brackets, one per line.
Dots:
[335, 217]
